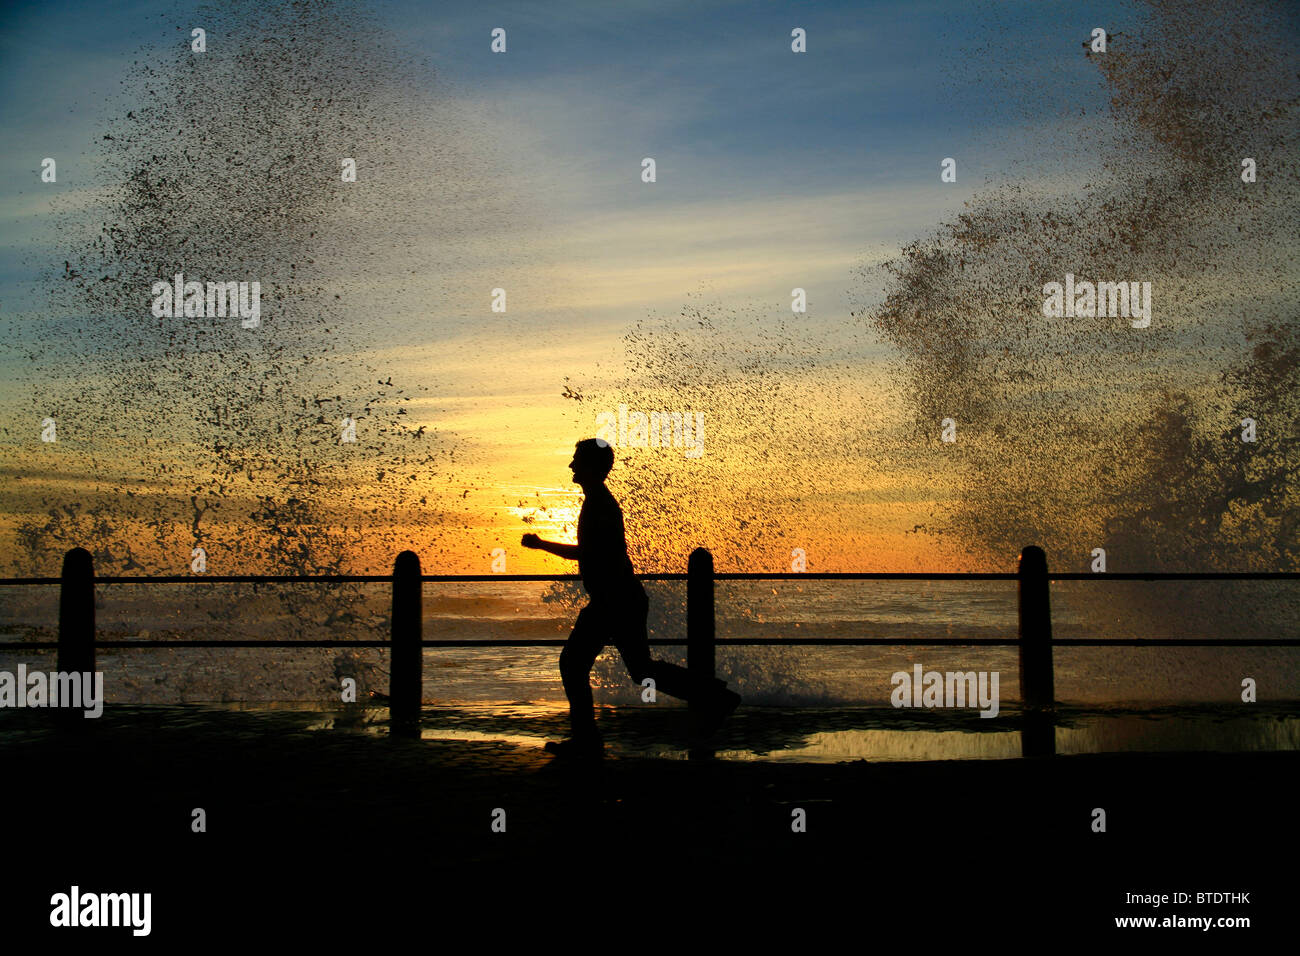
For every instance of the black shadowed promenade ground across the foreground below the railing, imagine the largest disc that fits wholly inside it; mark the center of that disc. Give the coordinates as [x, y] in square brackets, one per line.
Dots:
[344, 838]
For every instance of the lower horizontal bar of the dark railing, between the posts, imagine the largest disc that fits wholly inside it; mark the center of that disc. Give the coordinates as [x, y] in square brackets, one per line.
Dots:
[733, 642]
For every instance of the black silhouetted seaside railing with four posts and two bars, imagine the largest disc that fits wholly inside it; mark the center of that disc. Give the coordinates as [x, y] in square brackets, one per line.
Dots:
[77, 642]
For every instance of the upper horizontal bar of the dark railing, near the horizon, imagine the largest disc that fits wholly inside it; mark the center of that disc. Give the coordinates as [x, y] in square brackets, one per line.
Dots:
[675, 577]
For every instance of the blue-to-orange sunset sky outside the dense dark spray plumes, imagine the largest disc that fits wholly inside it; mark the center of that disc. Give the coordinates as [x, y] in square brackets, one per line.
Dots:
[774, 171]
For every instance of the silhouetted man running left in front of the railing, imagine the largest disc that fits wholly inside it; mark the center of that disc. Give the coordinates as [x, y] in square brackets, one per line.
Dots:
[617, 612]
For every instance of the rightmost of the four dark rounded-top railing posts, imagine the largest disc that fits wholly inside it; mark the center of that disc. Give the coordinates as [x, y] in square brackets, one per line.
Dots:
[1038, 684]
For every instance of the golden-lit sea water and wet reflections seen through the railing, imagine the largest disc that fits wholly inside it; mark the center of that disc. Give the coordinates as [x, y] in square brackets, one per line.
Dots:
[822, 703]
